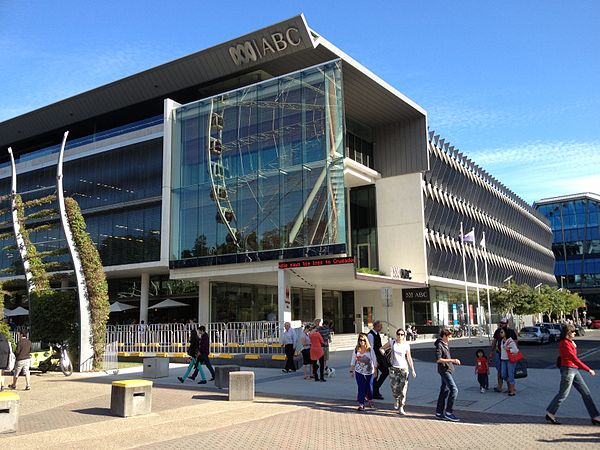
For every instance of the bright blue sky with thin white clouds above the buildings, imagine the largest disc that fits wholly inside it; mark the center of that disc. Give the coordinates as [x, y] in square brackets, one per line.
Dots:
[515, 85]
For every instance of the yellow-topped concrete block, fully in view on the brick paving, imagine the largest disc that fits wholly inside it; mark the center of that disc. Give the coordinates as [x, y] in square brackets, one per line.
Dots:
[131, 398]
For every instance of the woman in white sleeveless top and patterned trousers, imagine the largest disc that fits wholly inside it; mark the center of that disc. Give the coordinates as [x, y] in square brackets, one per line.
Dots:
[402, 359]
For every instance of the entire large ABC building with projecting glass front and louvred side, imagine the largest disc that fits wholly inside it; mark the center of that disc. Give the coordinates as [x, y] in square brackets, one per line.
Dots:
[271, 177]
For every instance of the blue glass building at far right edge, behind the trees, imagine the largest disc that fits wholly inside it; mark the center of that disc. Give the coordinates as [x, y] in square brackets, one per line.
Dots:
[575, 222]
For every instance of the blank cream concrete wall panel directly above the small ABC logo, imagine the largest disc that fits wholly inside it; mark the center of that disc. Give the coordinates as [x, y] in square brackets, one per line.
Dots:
[400, 225]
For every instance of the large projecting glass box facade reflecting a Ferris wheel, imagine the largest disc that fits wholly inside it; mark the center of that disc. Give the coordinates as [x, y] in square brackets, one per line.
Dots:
[258, 172]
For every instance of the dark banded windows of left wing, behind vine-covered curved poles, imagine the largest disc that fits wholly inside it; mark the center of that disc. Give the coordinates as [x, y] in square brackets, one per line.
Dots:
[119, 194]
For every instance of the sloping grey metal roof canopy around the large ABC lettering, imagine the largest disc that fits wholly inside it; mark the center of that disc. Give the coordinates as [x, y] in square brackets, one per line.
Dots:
[368, 99]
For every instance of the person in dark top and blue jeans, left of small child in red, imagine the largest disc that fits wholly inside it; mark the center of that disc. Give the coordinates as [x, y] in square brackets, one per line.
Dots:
[445, 363]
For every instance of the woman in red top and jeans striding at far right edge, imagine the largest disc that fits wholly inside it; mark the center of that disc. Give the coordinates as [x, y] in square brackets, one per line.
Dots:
[570, 376]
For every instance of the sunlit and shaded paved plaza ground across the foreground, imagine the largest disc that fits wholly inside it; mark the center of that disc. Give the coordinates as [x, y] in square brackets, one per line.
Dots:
[290, 412]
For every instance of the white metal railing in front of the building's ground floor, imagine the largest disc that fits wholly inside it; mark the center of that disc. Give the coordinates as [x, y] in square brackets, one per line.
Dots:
[230, 338]
